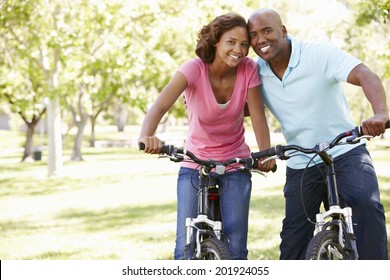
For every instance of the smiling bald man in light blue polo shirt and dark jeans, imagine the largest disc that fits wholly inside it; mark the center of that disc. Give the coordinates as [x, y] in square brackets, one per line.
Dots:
[301, 84]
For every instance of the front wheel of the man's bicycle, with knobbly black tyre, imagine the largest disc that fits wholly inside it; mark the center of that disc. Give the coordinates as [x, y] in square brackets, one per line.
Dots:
[325, 246]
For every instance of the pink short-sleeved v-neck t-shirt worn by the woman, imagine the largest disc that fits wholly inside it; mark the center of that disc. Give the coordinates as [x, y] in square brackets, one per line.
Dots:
[214, 132]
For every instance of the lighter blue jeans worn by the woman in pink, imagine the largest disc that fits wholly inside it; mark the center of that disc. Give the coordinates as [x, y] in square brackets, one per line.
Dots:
[234, 193]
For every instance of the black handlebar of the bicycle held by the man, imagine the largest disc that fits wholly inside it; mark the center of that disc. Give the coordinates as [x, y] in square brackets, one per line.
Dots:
[279, 150]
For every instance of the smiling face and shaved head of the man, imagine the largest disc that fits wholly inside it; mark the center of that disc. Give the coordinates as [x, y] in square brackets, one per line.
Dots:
[267, 35]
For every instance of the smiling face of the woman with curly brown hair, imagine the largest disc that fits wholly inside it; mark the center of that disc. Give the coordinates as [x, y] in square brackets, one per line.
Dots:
[233, 46]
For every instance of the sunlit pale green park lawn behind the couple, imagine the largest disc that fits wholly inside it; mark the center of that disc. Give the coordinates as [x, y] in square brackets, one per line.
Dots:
[120, 204]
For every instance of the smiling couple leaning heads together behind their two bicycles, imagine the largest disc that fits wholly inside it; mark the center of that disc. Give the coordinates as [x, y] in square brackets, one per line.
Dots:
[299, 81]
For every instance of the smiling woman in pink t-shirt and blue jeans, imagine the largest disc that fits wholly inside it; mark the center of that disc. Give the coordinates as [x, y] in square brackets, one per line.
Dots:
[217, 86]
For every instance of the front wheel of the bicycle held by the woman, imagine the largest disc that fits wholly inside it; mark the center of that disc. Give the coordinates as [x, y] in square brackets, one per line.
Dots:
[214, 249]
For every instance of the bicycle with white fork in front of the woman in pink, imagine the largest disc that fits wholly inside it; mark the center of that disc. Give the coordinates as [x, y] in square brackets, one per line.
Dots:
[207, 226]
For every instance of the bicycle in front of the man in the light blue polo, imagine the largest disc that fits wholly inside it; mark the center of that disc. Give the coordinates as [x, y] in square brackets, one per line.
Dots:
[333, 238]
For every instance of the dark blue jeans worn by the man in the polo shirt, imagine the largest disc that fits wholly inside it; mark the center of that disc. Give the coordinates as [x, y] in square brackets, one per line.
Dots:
[358, 188]
